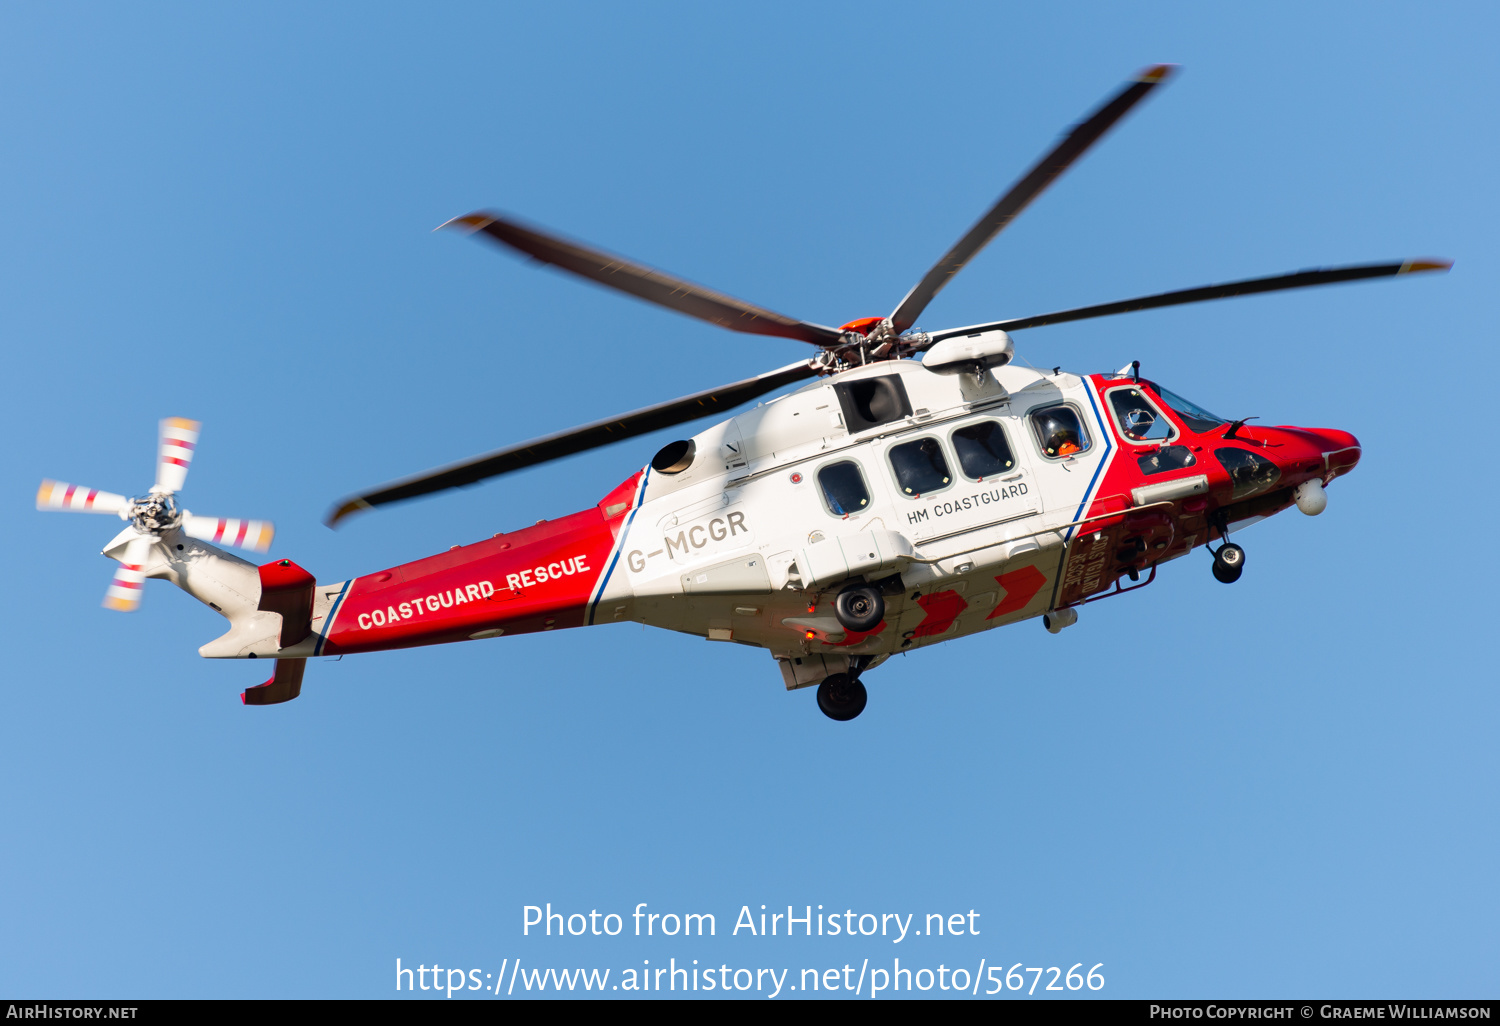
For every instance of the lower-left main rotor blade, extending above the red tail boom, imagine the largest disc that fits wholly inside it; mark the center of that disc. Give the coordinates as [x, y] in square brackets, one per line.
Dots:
[577, 440]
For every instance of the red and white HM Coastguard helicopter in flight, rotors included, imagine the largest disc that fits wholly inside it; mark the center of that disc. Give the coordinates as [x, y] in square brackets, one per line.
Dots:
[887, 505]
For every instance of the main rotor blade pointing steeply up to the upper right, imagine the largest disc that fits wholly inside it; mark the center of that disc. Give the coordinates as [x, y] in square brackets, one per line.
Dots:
[1028, 188]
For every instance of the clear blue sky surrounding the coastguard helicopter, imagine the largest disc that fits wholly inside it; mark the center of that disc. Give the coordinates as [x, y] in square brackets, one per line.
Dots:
[1273, 790]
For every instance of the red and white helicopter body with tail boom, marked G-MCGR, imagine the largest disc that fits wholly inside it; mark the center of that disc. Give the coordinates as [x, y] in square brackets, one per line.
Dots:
[950, 493]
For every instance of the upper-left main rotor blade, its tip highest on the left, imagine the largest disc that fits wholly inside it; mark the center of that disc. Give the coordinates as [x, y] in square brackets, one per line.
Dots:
[646, 283]
